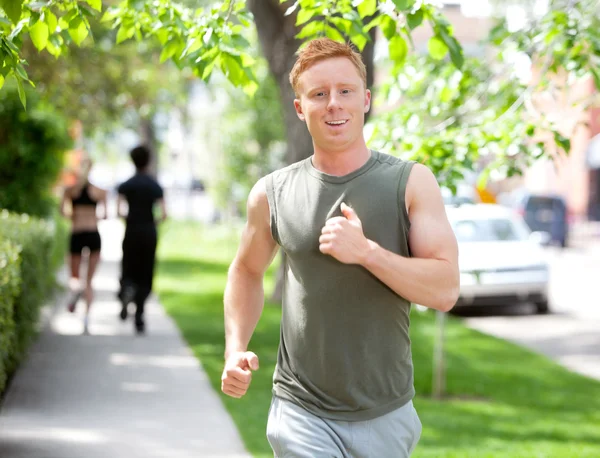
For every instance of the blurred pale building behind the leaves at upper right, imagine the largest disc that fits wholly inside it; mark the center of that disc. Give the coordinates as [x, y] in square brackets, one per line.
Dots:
[576, 176]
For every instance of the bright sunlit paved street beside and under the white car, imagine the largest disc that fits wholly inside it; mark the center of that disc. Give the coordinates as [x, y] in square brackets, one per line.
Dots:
[570, 334]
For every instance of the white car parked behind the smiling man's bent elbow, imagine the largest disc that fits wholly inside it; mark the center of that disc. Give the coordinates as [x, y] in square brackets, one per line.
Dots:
[501, 261]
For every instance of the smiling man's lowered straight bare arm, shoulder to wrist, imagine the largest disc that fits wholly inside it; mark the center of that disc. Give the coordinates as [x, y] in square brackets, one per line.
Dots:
[244, 294]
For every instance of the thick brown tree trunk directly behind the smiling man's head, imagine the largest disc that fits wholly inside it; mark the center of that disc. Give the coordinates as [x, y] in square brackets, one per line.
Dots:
[277, 36]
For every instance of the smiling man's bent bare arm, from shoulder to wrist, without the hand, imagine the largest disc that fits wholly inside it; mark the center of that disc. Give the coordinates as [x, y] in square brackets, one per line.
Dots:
[431, 276]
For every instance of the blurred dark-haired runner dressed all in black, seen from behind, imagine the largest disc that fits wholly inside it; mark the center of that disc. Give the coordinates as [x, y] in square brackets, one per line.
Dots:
[141, 192]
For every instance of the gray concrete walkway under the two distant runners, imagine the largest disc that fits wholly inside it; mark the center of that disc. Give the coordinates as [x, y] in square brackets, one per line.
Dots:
[113, 394]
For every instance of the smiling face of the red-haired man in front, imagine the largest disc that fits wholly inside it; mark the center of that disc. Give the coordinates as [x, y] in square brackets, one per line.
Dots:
[333, 100]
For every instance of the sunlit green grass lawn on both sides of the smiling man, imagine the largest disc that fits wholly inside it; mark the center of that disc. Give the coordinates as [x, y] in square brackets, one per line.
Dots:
[503, 401]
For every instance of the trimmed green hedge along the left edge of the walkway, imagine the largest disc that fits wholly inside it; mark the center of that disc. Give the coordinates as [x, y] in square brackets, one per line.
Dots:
[34, 248]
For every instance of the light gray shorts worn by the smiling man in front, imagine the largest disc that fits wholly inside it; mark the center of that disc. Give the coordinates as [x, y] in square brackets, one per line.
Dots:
[294, 432]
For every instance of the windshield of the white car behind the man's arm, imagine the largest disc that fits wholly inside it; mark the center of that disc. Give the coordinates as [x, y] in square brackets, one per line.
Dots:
[488, 230]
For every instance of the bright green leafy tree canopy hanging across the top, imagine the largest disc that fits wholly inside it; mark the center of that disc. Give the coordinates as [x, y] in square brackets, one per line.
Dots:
[456, 110]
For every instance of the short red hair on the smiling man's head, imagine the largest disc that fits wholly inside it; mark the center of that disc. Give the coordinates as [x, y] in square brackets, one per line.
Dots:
[321, 49]
